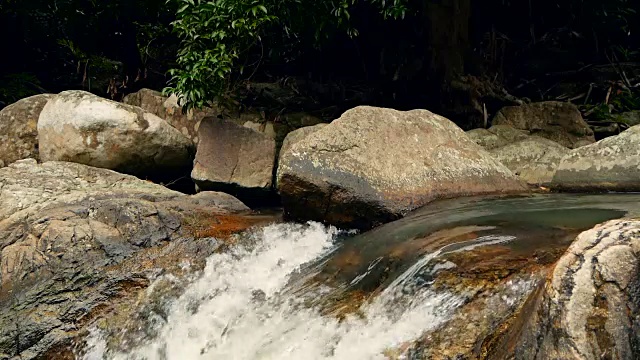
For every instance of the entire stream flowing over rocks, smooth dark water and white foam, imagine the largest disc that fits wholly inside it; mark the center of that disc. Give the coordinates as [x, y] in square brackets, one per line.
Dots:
[306, 291]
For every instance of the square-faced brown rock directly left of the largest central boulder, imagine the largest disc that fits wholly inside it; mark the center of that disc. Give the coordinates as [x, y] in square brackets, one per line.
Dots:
[234, 159]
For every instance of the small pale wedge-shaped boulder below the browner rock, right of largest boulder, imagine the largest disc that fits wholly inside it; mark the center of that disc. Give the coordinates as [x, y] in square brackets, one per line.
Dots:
[534, 159]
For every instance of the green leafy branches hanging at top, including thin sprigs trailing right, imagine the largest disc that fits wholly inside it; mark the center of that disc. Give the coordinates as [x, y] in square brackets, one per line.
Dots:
[217, 35]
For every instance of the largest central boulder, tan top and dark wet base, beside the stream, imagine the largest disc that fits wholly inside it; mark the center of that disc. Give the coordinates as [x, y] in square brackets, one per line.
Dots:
[374, 165]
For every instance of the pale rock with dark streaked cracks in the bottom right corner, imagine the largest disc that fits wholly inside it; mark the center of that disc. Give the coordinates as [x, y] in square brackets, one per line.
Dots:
[589, 309]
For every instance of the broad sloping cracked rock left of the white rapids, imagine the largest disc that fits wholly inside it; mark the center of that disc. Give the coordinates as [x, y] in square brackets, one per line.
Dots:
[77, 241]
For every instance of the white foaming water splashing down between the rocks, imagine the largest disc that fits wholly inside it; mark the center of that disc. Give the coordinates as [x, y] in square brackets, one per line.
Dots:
[241, 307]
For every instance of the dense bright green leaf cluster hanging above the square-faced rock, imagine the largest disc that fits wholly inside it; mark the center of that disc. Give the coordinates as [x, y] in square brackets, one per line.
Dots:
[214, 34]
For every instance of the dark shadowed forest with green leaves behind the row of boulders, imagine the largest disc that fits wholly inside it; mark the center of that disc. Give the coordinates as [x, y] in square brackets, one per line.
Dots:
[461, 58]
